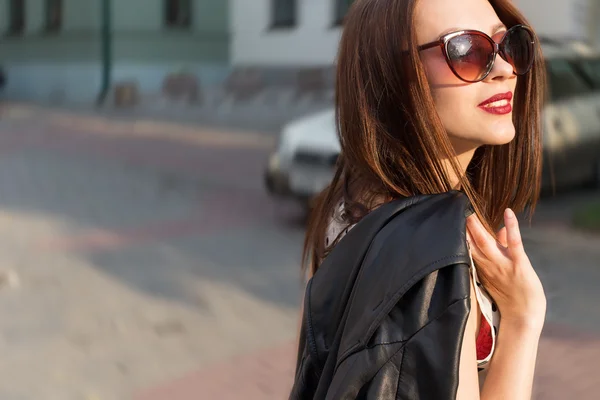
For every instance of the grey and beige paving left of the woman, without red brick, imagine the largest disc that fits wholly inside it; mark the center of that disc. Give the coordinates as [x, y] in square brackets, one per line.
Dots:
[119, 232]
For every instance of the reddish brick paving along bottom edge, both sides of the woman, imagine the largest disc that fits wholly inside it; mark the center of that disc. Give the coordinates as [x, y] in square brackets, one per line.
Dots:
[568, 365]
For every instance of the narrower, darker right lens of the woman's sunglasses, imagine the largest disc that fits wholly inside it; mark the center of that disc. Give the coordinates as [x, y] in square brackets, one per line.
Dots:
[518, 49]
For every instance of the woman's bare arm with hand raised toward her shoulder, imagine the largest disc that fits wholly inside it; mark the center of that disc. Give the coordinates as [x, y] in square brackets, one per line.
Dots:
[519, 294]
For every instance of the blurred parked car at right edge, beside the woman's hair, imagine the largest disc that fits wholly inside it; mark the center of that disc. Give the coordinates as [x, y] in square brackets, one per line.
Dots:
[572, 121]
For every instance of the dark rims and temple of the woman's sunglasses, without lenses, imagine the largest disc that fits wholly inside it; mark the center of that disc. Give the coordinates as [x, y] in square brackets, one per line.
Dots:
[498, 48]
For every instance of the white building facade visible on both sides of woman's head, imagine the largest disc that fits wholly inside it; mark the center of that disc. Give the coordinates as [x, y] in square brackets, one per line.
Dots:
[306, 32]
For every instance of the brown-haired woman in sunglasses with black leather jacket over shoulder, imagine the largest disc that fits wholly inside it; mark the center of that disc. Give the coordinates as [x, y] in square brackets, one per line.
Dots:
[438, 107]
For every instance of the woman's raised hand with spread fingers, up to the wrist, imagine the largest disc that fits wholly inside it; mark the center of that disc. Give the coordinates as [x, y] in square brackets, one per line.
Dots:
[506, 272]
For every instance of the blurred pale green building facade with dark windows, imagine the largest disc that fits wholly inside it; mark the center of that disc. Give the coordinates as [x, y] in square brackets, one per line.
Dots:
[52, 49]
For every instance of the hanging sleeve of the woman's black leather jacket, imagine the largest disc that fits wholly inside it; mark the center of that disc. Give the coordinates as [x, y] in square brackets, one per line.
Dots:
[415, 352]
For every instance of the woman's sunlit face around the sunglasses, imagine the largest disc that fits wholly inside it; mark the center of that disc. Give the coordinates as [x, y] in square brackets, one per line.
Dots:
[459, 104]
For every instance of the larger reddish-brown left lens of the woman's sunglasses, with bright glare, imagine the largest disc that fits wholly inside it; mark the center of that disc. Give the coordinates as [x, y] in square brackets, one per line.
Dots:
[470, 55]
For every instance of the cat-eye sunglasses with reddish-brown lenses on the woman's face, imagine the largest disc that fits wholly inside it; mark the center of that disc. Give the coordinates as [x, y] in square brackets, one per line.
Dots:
[471, 54]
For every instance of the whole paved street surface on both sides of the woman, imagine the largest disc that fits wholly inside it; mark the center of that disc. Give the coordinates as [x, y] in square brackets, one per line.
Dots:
[144, 259]
